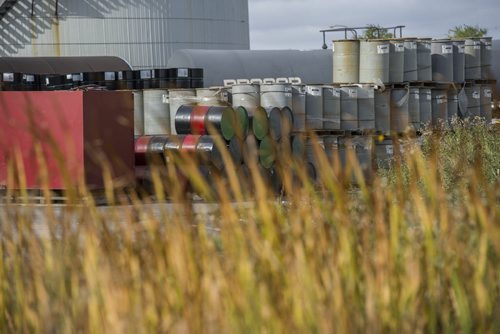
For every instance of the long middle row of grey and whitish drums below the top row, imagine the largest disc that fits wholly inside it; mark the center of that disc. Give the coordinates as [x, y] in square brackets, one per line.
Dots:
[308, 107]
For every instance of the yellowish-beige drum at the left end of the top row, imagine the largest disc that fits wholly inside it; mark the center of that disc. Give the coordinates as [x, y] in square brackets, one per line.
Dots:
[346, 61]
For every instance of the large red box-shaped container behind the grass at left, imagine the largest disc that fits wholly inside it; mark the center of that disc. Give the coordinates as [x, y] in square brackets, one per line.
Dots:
[77, 133]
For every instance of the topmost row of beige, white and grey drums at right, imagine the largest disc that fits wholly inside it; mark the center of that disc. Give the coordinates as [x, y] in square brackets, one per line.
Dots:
[412, 59]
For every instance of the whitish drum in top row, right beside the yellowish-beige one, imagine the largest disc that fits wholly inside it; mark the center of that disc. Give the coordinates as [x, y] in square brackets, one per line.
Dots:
[374, 61]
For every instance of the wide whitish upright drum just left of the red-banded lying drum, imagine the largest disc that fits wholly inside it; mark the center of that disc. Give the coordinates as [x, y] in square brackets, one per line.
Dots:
[156, 112]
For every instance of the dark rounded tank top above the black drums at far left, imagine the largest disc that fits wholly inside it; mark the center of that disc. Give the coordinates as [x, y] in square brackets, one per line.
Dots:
[61, 65]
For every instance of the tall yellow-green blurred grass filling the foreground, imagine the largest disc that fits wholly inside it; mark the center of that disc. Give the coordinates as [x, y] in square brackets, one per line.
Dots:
[416, 250]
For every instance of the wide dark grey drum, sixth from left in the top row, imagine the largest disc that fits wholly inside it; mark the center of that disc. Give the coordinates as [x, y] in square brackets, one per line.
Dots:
[442, 60]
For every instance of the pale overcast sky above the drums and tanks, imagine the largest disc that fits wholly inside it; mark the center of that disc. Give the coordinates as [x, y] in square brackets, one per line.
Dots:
[295, 24]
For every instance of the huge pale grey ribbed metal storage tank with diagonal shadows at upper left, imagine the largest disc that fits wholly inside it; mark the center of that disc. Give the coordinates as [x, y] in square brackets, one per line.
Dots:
[144, 33]
